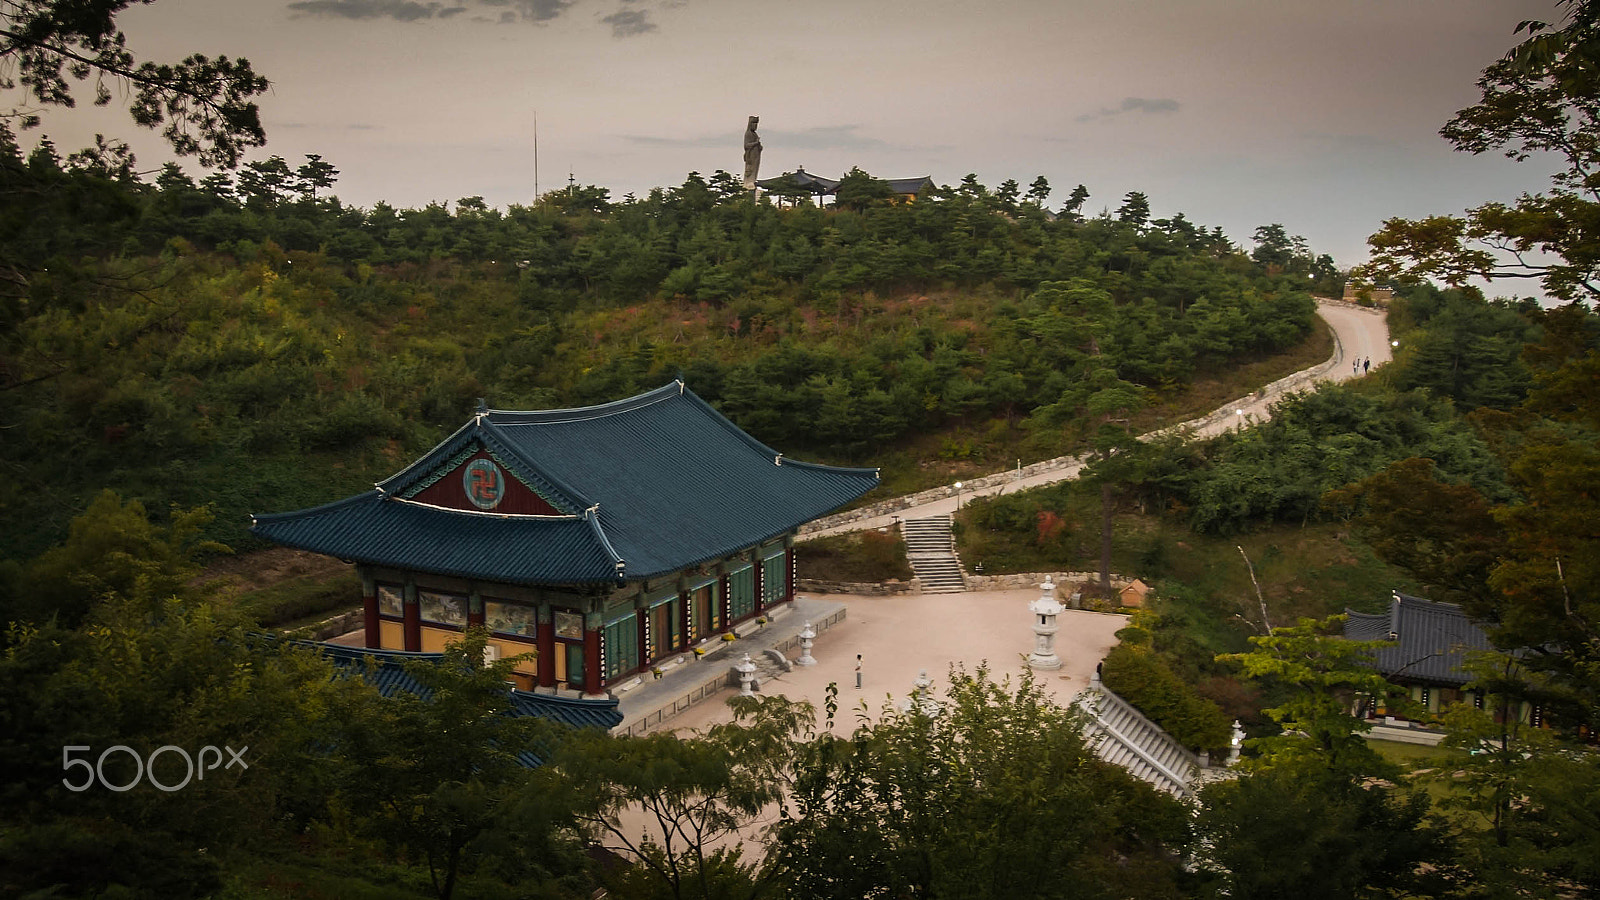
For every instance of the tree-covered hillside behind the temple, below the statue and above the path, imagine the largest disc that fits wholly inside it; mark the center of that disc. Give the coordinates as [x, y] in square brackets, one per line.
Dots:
[254, 345]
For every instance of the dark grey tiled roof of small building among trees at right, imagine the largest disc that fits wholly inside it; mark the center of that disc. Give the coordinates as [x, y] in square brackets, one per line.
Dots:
[1431, 640]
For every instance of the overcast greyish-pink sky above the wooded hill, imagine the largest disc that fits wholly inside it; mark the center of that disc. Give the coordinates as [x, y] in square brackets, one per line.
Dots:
[1318, 115]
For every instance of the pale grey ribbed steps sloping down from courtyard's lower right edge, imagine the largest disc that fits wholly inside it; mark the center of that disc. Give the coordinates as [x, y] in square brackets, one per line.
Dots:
[1122, 736]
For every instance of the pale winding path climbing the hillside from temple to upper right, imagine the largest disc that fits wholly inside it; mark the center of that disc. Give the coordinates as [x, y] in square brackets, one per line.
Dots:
[1359, 334]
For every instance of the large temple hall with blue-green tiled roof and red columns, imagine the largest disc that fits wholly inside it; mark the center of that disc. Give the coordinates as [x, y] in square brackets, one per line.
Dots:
[602, 539]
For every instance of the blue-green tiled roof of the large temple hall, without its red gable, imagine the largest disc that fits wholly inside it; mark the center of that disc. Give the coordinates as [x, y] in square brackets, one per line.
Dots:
[644, 488]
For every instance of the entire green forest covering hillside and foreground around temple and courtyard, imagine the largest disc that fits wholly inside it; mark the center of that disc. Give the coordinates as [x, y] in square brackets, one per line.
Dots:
[249, 344]
